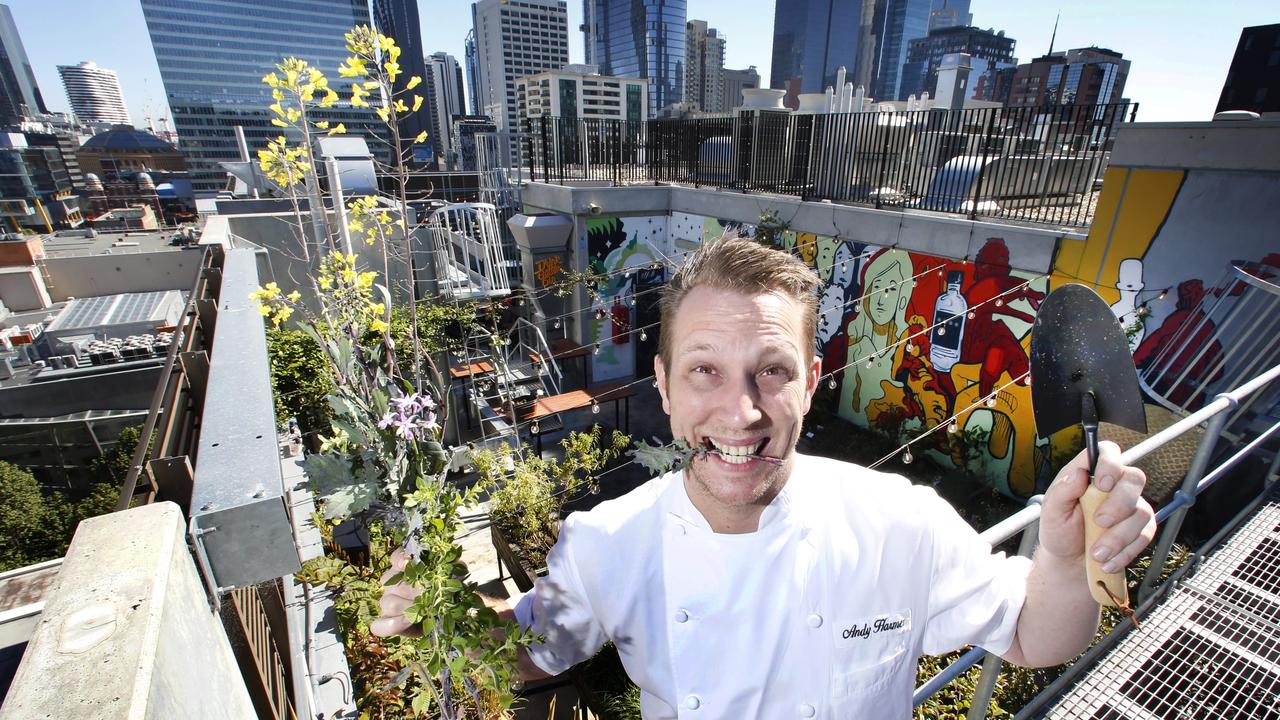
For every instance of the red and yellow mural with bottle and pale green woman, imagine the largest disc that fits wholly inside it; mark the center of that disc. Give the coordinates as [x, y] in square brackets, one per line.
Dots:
[915, 343]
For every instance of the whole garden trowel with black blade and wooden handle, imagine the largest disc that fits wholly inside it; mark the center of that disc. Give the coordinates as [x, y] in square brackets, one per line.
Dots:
[1084, 373]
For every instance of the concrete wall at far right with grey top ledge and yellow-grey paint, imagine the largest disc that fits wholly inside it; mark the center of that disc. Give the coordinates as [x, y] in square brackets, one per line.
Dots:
[1181, 203]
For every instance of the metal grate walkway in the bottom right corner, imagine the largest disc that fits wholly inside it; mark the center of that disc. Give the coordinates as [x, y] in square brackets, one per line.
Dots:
[1210, 650]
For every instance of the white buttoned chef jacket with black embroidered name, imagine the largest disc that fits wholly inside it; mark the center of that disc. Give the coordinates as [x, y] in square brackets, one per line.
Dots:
[821, 613]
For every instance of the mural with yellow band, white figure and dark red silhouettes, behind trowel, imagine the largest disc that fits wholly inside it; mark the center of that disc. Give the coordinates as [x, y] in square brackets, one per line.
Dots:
[1160, 252]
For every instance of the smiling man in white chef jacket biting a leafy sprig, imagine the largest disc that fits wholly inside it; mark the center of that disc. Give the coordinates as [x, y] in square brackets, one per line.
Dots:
[743, 589]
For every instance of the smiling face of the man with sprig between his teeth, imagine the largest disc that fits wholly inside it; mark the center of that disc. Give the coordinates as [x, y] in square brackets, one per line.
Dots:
[740, 381]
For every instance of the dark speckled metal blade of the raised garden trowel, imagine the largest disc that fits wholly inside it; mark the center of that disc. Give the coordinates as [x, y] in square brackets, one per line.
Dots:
[1078, 348]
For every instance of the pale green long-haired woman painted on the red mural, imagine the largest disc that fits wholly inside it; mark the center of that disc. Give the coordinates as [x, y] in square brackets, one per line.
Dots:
[877, 327]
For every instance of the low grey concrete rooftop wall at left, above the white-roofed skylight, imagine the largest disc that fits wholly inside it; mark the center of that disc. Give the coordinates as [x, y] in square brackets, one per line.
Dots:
[127, 272]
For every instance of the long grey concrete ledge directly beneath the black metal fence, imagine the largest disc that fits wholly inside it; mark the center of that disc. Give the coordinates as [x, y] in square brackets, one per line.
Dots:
[931, 234]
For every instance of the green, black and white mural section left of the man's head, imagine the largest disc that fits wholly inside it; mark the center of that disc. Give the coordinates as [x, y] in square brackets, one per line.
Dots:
[624, 250]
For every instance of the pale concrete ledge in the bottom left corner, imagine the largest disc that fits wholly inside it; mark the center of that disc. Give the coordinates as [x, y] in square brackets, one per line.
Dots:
[127, 631]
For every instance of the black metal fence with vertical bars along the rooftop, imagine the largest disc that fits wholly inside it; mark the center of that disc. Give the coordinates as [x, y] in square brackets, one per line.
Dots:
[1035, 165]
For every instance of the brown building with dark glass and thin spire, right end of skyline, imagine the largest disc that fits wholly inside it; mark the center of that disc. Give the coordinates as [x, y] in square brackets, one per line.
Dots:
[1086, 76]
